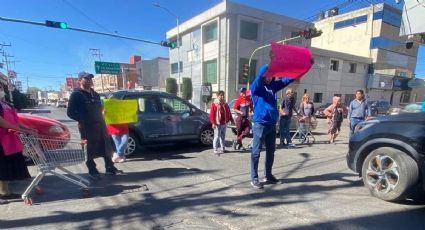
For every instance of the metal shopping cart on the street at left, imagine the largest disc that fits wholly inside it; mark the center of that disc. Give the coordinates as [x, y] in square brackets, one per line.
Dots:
[51, 155]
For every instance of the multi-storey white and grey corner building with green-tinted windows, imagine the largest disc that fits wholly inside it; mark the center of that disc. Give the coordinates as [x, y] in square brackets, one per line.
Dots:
[215, 45]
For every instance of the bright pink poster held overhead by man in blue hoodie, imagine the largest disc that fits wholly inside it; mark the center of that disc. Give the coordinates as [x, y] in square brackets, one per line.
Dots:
[289, 61]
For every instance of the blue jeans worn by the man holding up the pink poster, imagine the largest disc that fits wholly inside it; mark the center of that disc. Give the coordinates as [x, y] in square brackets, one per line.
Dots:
[266, 134]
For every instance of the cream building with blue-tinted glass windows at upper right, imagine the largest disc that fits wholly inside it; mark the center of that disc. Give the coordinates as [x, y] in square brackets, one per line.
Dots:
[373, 32]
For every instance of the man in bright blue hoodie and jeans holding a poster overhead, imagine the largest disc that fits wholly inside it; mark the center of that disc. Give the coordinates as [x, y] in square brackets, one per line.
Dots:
[263, 90]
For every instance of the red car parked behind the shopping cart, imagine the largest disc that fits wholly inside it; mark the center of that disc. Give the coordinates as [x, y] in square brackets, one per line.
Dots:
[47, 128]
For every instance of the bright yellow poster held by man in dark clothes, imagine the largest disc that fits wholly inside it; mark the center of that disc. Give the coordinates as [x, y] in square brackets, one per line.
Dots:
[120, 111]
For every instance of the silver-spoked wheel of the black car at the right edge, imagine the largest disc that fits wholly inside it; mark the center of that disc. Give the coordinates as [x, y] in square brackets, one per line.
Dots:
[389, 173]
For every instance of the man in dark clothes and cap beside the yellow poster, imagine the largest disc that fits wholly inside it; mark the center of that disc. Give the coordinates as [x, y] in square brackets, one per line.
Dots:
[85, 107]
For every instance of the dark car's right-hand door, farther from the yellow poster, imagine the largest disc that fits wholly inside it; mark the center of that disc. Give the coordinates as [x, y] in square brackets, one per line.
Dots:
[178, 122]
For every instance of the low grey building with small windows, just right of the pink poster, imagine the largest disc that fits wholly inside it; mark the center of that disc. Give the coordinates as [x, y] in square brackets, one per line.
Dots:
[324, 81]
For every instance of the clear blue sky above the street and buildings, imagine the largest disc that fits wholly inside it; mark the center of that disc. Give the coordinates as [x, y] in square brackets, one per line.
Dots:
[43, 57]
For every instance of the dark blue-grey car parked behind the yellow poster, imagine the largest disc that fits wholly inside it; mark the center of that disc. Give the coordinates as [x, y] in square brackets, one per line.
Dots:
[164, 117]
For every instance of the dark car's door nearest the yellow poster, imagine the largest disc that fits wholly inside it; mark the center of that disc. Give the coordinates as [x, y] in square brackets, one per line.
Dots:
[149, 116]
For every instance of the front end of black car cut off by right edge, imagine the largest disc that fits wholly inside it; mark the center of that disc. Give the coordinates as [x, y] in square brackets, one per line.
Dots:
[389, 154]
